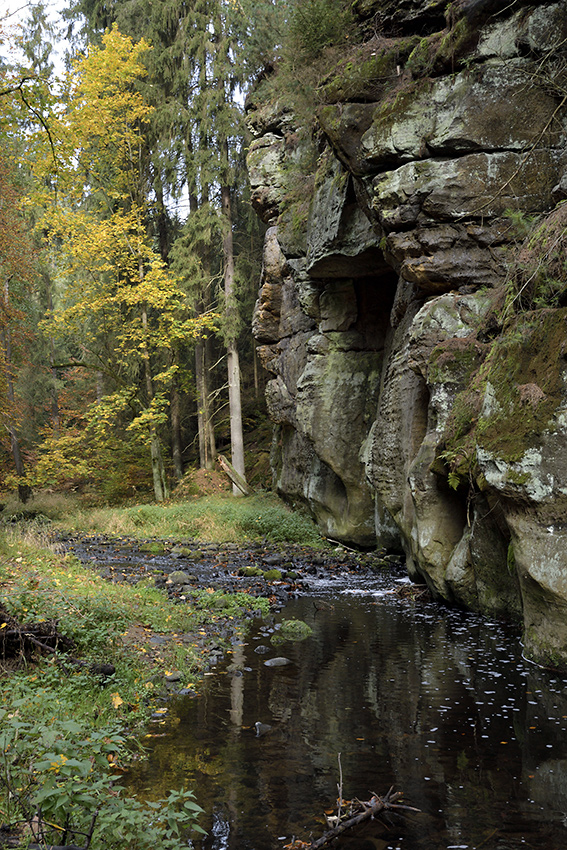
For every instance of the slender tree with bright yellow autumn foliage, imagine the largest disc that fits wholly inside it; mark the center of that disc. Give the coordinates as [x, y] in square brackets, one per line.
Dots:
[121, 307]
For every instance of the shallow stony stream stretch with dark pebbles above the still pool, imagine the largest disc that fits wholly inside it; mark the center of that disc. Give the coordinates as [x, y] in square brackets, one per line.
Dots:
[188, 568]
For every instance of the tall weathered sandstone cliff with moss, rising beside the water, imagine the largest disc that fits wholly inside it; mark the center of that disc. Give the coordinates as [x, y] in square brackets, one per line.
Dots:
[419, 400]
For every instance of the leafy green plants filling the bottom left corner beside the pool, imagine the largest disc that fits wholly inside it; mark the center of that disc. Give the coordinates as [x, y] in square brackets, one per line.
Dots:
[58, 775]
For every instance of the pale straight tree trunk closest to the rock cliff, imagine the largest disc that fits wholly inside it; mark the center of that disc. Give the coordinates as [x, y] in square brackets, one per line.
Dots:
[234, 403]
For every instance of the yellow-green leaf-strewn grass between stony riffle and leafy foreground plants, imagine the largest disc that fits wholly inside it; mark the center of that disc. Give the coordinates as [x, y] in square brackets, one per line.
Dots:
[113, 623]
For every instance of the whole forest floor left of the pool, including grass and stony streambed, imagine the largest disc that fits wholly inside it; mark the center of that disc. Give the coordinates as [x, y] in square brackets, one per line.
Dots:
[106, 613]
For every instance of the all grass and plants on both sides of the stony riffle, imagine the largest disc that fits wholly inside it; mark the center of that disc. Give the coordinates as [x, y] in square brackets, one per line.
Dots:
[64, 734]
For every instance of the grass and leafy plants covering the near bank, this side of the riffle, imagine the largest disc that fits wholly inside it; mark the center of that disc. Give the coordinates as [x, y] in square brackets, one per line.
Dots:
[65, 734]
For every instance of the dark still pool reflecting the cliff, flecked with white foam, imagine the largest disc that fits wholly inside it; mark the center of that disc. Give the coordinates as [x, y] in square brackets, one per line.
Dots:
[438, 703]
